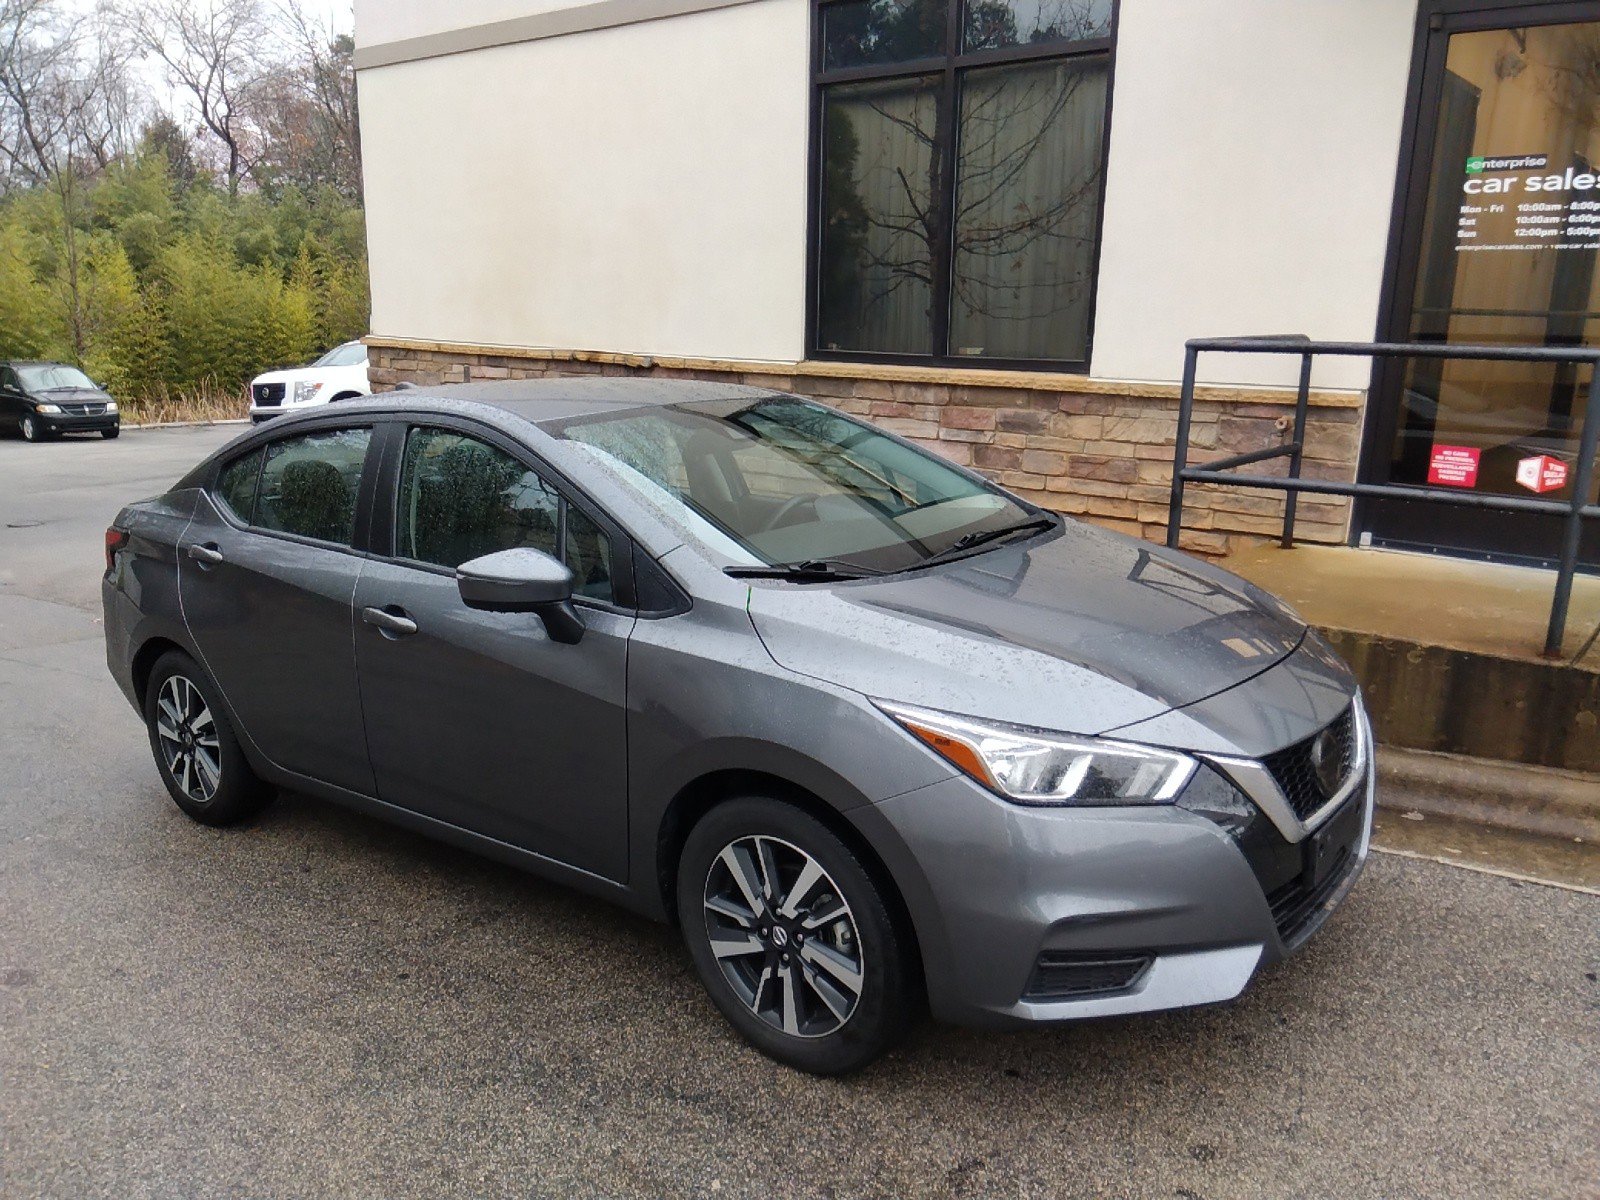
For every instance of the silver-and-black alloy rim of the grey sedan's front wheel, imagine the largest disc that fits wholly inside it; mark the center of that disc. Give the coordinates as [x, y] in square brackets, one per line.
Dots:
[785, 937]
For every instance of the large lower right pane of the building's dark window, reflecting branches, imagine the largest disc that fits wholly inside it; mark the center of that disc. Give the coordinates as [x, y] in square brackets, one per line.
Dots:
[1026, 210]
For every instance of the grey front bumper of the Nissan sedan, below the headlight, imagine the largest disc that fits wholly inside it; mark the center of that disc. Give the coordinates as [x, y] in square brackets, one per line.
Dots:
[996, 890]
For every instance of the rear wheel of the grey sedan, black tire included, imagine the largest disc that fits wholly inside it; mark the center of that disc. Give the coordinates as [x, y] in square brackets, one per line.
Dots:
[236, 794]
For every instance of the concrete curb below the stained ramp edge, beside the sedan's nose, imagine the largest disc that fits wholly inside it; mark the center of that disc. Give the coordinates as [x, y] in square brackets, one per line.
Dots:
[1503, 796]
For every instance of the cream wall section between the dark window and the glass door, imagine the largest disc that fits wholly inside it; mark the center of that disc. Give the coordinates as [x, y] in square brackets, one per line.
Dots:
[1254, 151]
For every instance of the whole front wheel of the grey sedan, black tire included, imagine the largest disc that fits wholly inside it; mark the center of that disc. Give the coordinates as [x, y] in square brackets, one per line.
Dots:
[881, 1012]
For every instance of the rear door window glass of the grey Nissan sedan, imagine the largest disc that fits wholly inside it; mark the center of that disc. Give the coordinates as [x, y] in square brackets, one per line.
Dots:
[310, 484]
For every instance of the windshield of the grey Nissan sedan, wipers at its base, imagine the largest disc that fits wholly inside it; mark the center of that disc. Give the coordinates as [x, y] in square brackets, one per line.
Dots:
[786, 481]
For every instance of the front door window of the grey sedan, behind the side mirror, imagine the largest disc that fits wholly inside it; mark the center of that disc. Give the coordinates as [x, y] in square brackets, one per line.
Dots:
[463, 498]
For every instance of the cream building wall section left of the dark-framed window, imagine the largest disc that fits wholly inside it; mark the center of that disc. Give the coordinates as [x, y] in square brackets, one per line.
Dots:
[638, 188]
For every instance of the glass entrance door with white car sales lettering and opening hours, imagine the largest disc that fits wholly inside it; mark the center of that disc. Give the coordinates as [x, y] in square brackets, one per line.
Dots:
[1500, 233]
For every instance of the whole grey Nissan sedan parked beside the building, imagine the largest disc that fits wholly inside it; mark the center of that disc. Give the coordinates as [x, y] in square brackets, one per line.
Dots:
[871, 730]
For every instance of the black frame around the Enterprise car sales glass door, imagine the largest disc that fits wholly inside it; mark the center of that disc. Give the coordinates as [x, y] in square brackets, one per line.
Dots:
[1436, 22]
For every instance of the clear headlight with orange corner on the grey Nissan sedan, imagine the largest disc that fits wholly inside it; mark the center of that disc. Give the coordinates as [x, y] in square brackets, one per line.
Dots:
[1036, 767]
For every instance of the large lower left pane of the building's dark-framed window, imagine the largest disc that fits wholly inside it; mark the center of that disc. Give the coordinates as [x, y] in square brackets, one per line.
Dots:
[879, 222]
